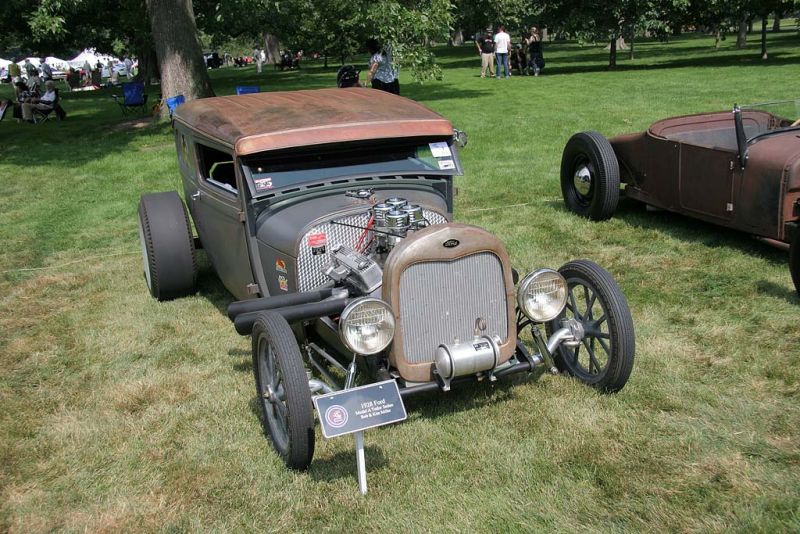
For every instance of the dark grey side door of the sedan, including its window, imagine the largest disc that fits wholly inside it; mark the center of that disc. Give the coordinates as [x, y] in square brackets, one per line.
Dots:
[219, 218]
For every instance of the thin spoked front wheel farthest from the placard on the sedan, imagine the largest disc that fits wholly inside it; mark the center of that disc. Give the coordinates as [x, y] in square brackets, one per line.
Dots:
[604, 358]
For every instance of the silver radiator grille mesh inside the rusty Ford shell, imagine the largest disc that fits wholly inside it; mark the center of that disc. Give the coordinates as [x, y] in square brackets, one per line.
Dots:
[440, 300]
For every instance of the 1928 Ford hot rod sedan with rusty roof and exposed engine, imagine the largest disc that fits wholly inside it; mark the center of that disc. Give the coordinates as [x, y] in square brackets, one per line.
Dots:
[328, 213]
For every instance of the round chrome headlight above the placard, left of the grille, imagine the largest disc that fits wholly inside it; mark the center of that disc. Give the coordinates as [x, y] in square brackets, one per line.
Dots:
[366, 325]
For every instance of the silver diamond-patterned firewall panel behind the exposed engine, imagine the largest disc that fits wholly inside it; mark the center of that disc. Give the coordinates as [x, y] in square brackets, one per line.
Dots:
[309, 267]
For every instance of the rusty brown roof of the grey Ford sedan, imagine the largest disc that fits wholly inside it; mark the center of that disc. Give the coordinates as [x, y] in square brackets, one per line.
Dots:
[261, 122]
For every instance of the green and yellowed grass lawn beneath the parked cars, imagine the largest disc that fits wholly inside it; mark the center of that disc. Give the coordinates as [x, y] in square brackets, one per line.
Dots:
[121, 413]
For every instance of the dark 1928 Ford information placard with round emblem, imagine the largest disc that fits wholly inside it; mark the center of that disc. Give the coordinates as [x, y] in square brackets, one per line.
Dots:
[357, 409]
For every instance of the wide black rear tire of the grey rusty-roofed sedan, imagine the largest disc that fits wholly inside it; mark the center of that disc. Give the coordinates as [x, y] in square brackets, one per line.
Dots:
[170, 268]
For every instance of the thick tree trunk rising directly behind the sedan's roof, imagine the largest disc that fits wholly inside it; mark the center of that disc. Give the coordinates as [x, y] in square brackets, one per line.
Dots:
[180, 57]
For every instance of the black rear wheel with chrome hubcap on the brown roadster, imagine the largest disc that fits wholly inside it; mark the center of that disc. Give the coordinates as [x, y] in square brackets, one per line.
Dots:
[590, 176]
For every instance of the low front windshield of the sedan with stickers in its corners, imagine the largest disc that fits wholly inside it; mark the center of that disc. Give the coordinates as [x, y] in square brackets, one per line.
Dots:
[276, 171]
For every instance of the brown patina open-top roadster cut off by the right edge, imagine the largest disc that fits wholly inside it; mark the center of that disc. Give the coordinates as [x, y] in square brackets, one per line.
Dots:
[739, 169]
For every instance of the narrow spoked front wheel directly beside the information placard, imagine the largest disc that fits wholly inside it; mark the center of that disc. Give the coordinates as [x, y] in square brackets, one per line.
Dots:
[282, 389]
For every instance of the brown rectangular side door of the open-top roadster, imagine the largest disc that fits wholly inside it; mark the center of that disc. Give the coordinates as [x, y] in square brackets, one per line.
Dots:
[706, 182]
